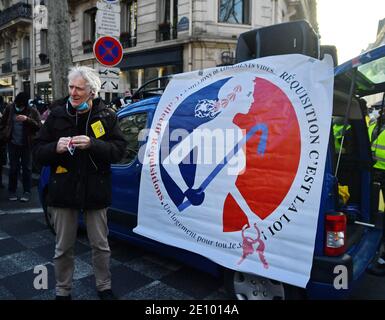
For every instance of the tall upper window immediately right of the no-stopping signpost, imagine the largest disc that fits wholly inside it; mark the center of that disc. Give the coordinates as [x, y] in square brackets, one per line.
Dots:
[128, 23]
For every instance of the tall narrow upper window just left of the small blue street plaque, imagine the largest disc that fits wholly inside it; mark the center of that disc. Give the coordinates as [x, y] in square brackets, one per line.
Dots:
[168, 19]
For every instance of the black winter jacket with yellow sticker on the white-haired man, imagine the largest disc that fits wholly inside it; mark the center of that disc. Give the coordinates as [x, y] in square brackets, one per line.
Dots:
[81, 180]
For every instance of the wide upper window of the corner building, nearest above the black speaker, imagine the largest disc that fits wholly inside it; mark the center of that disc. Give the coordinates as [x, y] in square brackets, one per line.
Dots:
[234, 11]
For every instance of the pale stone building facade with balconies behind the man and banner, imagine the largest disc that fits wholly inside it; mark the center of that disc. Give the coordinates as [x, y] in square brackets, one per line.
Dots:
[159, 37]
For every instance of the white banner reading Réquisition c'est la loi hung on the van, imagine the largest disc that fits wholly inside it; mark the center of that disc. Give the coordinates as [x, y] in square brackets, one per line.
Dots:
[234, 164]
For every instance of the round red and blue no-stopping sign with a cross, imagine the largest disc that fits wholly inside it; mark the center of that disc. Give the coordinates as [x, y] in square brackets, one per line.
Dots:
[108, 51]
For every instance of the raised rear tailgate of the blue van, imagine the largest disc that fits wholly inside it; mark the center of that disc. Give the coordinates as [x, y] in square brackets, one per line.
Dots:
[371, 71]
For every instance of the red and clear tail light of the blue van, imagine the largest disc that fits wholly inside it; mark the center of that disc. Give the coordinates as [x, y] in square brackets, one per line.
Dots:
[335, 230]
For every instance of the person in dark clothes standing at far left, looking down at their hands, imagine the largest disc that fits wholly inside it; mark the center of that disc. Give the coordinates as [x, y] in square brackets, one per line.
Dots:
[20, 124]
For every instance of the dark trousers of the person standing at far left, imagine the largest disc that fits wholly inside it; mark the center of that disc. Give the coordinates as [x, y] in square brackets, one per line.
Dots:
[19, 156]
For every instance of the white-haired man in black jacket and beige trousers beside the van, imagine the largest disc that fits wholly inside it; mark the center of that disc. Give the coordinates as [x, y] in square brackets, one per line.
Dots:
[79, 141]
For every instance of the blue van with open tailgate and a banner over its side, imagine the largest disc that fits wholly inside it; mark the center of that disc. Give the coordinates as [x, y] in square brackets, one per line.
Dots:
[357, 222]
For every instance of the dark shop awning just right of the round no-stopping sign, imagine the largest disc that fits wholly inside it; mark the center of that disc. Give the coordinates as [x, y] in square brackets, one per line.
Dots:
[156, 57]
